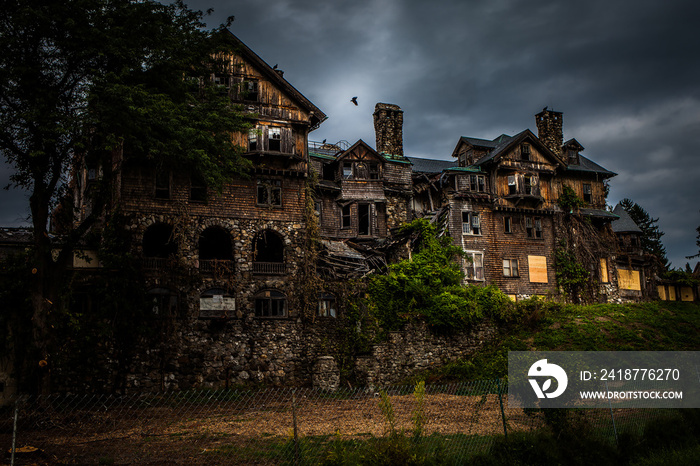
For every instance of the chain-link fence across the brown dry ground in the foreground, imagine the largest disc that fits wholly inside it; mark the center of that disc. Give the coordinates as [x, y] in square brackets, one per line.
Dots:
[276, 425]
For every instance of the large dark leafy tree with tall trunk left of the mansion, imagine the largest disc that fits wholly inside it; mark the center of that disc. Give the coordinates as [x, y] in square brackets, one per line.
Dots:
[92, 78]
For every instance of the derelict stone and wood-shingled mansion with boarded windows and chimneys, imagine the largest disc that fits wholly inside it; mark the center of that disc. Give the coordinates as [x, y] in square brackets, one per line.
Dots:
[233, 266]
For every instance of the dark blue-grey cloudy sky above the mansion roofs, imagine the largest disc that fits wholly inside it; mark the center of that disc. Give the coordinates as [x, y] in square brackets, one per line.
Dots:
[625, 74]
